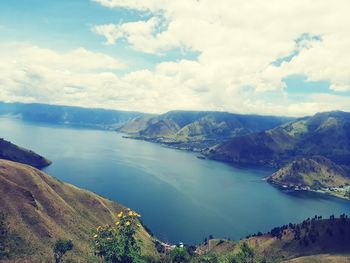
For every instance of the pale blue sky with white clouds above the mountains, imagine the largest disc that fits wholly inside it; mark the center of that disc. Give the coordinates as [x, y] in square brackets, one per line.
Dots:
[276, 57]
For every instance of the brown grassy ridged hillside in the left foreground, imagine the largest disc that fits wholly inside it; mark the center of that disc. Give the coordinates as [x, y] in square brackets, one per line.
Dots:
[42, 209]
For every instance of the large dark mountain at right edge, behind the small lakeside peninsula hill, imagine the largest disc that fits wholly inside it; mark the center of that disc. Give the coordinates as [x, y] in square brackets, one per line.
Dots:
[326, 134]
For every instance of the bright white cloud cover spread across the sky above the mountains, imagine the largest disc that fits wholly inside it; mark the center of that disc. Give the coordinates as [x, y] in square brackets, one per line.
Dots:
[237, 42]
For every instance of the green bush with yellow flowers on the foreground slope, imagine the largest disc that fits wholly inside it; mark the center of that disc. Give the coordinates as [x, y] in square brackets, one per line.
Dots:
[117, 244]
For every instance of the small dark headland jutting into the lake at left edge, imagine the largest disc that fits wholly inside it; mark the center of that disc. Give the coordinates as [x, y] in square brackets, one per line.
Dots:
[12, 152]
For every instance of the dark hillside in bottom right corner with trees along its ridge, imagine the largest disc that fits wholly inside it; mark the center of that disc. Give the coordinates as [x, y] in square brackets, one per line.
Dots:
[313, 240]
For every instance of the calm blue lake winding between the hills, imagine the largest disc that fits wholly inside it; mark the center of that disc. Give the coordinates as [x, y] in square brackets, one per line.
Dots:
[180, 197]
